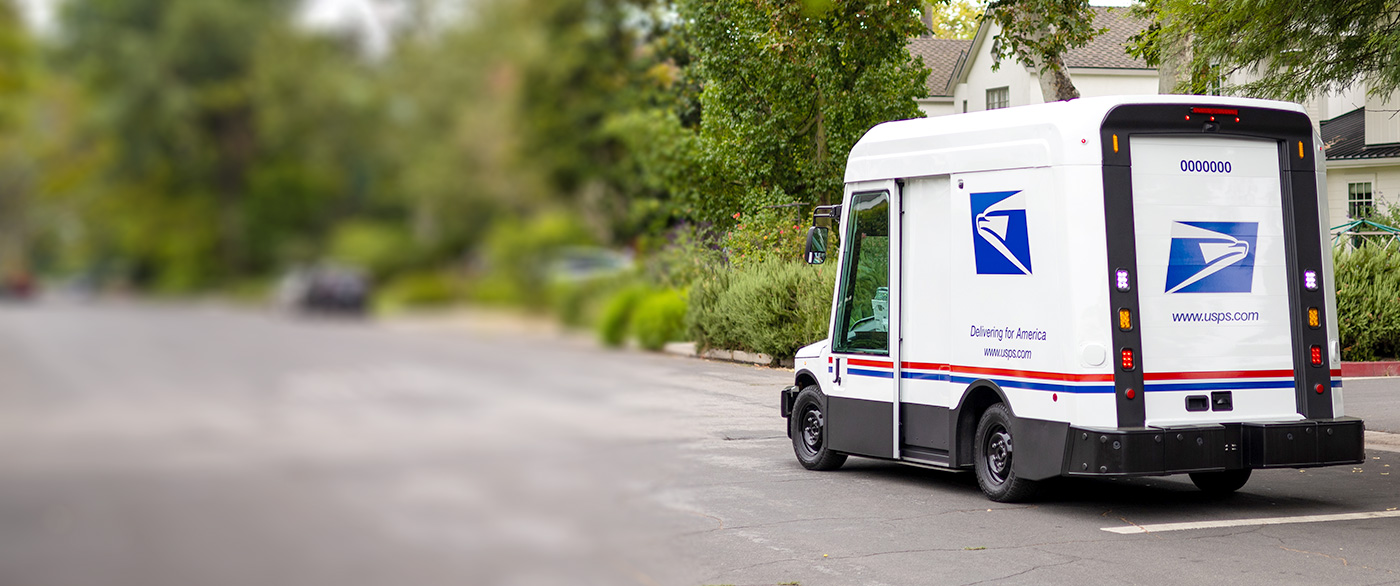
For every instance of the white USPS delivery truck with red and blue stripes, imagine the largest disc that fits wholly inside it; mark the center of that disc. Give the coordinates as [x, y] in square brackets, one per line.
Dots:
[1107, 287]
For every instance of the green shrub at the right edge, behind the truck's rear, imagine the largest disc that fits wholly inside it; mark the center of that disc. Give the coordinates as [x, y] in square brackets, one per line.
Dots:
[1368, 303]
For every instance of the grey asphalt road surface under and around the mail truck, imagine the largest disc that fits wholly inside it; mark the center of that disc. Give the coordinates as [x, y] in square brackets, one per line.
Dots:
[149, 447]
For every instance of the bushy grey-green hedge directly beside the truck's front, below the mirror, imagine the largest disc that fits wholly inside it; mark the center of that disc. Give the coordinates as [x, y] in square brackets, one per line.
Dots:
[775, 308]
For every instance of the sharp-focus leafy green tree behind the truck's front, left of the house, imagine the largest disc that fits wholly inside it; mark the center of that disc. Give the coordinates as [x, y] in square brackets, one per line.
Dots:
[787, 92]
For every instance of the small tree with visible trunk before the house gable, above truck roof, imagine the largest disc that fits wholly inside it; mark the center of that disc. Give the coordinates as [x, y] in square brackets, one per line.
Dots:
[1038, 34]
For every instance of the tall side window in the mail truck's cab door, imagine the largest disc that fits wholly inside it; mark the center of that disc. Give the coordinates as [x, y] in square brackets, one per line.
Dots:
[863, 320]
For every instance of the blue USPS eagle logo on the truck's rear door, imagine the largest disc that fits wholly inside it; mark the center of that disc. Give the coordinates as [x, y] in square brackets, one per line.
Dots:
[1212, 258]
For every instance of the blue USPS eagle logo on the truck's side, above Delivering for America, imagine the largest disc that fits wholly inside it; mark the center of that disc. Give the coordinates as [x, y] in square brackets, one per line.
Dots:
[1000, 241]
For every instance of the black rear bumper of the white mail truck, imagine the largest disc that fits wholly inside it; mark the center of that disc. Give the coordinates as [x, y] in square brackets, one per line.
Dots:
[1214, 447]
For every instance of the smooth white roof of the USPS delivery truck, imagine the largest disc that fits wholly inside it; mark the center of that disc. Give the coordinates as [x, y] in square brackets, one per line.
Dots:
[1044, 135]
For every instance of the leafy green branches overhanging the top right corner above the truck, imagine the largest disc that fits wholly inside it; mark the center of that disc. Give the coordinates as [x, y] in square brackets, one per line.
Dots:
[1290, 48]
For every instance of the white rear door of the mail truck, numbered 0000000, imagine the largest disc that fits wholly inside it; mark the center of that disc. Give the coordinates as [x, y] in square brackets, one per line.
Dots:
[1213, 282]
